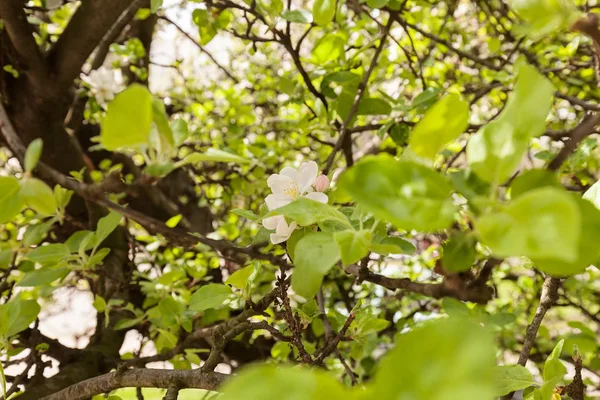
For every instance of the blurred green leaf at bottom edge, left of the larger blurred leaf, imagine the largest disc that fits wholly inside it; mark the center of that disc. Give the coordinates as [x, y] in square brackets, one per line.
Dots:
[261, 382]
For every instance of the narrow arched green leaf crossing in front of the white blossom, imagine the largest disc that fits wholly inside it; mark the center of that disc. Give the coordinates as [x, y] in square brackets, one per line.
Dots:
[308, 212]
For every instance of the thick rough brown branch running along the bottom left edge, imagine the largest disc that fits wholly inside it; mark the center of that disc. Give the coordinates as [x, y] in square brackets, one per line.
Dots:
[151, 378]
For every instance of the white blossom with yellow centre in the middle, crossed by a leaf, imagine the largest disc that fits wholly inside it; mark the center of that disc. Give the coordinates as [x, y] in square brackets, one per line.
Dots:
[287, 186]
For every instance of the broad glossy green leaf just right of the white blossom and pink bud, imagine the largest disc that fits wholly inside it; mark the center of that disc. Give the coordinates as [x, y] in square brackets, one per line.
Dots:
[408, 195]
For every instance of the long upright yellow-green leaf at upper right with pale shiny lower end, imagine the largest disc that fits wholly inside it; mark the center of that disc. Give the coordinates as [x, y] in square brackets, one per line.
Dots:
[496, 150]
